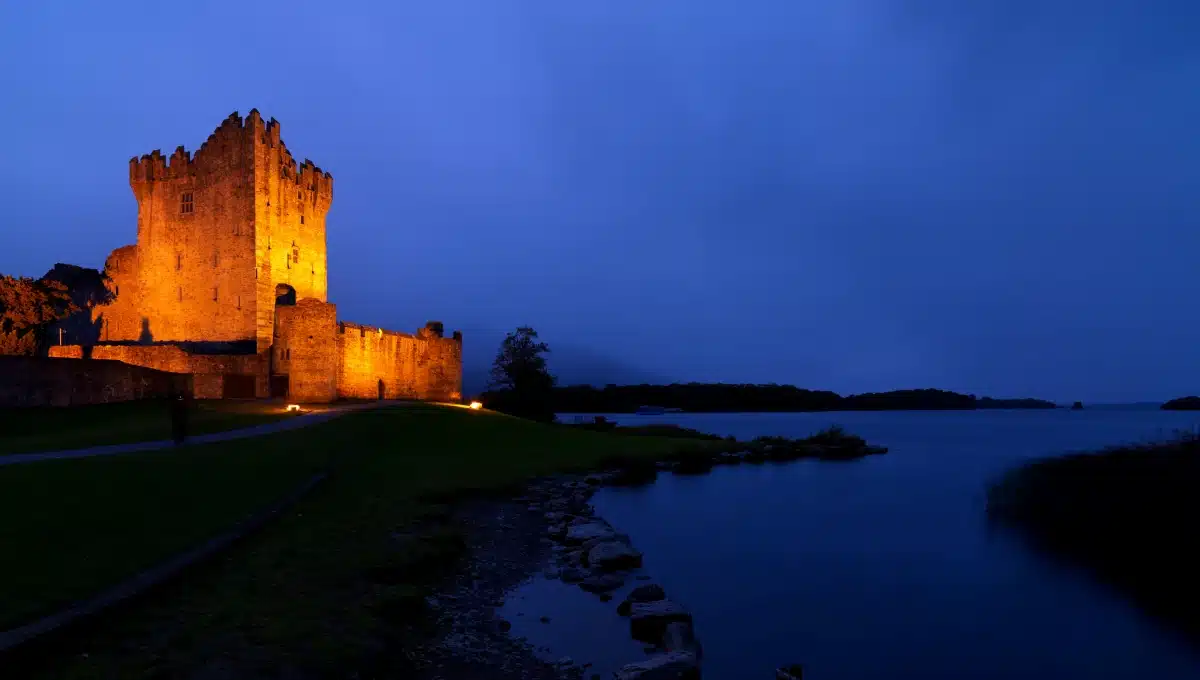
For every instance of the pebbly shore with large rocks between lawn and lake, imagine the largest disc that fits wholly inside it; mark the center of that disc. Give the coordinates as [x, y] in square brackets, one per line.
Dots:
[548, 529]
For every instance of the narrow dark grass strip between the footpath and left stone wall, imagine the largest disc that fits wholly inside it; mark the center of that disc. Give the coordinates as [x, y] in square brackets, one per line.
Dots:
[52, 429]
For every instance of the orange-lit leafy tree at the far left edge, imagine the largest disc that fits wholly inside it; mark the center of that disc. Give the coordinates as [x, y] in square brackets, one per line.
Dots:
[28, 308]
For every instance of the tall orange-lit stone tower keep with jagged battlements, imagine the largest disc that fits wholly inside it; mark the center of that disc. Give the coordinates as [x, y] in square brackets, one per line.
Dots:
[220, 236]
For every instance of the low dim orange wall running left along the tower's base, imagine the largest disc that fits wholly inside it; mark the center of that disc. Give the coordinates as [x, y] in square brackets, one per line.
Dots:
[208, 369]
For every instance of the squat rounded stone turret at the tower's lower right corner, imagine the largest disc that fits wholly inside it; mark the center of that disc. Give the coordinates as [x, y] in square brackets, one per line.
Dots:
[307, 351]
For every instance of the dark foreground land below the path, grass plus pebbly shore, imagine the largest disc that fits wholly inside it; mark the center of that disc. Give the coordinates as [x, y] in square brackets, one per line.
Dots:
[338, 587]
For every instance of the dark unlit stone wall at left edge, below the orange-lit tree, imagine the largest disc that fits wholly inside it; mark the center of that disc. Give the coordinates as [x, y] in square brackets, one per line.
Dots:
[44, 382]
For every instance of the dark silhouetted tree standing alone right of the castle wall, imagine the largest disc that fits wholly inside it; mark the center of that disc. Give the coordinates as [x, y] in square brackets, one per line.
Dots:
[521, 377]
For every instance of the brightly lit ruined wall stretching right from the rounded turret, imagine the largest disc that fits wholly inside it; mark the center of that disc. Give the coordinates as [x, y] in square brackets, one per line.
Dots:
[425, 366]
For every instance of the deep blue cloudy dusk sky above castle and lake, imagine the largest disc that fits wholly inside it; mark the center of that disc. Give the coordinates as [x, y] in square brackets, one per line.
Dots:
[991, 196]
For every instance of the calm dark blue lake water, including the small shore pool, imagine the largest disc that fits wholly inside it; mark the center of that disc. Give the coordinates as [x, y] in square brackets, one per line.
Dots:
[880, 569]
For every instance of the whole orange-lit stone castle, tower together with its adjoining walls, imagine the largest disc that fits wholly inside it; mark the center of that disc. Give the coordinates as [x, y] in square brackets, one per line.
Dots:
[229, 282]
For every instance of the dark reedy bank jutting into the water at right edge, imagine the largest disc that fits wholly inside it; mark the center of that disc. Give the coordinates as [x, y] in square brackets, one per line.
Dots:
[1126, 515]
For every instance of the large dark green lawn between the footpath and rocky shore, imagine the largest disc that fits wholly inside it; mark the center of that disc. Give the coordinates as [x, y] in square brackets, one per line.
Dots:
[295, 595]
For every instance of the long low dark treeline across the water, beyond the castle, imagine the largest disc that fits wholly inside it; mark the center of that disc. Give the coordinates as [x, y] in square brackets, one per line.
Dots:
[712, 398]
